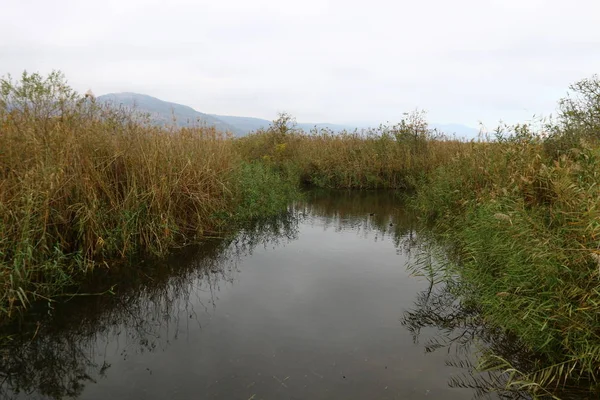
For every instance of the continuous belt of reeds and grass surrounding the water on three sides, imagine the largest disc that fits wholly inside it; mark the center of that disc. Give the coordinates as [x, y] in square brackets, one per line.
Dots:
[82, 184]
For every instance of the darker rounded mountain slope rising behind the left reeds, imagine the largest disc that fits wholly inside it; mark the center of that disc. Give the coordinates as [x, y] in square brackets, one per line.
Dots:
[165, 113]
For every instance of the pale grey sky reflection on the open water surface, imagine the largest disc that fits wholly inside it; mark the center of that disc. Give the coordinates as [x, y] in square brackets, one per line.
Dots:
[316, 318]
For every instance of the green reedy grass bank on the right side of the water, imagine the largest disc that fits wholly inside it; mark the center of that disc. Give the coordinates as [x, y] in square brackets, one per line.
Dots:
[522, 215]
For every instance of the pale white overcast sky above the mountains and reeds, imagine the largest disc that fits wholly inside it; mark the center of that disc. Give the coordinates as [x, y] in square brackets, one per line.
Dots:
[340, 61]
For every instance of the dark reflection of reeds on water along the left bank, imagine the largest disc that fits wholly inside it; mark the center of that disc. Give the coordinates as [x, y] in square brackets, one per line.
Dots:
[54, 356]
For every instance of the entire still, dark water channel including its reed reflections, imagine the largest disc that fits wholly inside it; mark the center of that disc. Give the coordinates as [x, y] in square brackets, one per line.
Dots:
[317, 304]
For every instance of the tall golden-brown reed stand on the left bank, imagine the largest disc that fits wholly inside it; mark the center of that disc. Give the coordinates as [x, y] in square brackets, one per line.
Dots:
[81, 184]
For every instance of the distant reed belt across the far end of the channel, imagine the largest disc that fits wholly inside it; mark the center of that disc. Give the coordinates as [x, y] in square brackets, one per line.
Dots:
[385, 157]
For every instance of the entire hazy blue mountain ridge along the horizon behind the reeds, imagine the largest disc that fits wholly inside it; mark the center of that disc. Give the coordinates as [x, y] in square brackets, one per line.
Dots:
[165, 113]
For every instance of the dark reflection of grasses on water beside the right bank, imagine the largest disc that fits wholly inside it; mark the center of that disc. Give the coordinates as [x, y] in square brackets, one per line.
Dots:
[468, 340]
